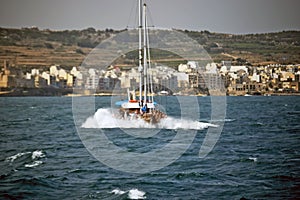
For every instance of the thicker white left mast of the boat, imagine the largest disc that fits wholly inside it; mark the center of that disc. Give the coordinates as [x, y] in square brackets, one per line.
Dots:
[140, 48]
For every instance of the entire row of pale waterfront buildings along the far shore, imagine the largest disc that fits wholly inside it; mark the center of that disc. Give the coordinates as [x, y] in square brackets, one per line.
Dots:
[191, 78]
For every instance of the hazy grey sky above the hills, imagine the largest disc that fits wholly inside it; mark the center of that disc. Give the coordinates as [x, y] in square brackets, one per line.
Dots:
[228, 16]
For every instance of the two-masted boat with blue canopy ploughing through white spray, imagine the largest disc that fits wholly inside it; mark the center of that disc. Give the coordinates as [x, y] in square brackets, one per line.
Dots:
[143, 106]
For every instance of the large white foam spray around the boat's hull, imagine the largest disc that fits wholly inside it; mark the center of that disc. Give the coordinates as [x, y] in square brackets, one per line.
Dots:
[104, 118]
